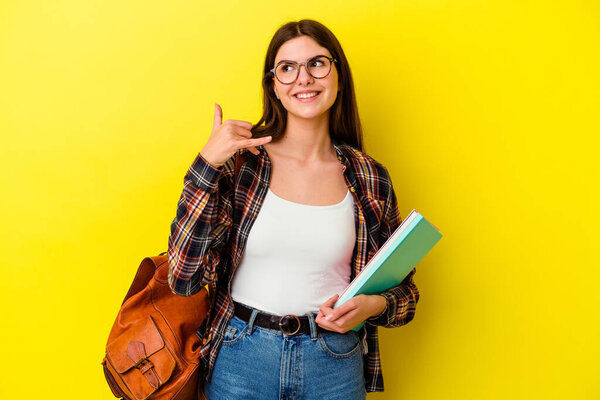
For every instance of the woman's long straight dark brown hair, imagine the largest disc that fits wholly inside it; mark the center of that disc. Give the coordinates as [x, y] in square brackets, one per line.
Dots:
[344, 122]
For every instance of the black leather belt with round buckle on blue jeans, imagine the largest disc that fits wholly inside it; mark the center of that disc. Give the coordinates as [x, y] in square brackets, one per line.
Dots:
[289, 324]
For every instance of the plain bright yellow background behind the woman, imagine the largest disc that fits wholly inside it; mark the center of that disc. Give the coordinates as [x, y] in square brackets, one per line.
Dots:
[485, 113]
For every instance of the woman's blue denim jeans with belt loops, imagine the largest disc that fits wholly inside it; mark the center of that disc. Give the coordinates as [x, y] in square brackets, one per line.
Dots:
[263, 364]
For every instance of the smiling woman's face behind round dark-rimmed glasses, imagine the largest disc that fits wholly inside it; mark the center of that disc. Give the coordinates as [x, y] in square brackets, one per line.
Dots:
[301, 49]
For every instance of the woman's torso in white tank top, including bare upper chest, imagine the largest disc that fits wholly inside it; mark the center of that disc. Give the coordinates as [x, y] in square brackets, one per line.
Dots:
[299, 250]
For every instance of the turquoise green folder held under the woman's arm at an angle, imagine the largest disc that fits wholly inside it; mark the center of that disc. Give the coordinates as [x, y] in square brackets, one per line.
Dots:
[403, 250]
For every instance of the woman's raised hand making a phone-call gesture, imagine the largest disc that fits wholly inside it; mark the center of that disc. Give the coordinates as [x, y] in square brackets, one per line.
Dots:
[228, 137]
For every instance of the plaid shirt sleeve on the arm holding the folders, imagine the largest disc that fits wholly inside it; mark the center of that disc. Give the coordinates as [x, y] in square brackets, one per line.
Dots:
[402, 299]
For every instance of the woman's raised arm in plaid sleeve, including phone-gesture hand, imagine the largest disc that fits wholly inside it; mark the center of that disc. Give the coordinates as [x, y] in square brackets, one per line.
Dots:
[204, 212]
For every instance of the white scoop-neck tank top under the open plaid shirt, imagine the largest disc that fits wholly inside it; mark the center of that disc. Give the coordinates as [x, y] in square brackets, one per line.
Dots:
[297, 256]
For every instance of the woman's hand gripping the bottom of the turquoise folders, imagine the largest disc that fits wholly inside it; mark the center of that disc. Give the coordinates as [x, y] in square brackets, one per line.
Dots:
[349, 314]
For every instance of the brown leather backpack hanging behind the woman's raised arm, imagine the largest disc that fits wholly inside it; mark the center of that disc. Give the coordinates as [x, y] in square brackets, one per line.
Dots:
[152, 349]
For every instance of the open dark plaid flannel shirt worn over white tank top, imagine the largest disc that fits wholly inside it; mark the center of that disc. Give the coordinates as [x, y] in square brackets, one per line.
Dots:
[202, 250]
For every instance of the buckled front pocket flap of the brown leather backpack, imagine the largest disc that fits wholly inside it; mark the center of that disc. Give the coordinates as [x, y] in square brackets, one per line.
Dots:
[141, 358]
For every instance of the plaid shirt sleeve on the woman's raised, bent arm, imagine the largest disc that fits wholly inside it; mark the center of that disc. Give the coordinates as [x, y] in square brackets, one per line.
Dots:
[201, 227]
